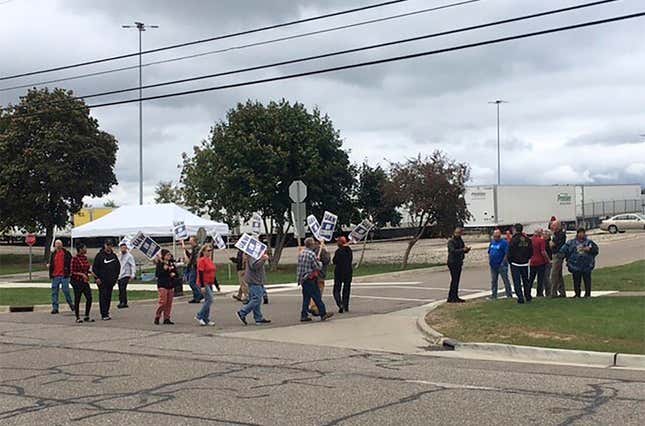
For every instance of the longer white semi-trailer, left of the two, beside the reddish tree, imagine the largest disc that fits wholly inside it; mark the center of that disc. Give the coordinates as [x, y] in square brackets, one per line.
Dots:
[502, 206]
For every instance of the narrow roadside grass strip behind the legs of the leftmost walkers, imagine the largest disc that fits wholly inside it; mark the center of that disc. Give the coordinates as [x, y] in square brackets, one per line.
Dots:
[42, 296]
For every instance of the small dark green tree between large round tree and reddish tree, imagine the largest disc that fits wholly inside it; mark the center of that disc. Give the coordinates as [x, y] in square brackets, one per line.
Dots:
[373, 202]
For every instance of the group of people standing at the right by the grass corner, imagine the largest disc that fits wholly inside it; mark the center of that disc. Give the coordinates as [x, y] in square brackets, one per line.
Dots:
[541, 256]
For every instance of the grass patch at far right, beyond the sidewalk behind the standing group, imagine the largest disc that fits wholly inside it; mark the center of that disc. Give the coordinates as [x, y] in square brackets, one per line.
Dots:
[629, 277]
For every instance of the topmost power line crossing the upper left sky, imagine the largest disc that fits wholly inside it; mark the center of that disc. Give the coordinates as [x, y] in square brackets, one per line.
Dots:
[205, 40]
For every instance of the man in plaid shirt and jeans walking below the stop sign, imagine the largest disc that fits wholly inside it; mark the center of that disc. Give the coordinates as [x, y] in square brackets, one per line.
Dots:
[307, 273]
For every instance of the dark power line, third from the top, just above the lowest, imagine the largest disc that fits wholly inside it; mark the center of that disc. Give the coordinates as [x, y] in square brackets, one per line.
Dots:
[354, 50]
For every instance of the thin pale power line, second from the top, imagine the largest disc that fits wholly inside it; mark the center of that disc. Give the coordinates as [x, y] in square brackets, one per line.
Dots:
[242, 46]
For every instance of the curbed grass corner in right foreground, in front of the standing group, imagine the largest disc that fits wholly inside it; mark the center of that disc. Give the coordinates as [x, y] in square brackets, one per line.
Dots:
[607, 324]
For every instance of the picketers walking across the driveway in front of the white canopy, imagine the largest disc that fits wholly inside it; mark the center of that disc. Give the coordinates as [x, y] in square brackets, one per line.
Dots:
[109, 269]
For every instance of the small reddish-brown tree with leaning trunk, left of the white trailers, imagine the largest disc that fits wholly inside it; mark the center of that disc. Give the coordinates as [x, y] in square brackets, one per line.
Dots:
[432, 190]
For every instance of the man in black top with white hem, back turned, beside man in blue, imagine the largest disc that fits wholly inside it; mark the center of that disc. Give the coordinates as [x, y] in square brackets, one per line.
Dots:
[520, 251]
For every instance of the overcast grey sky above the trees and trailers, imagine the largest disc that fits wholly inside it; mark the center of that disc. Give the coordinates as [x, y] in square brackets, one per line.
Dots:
[576, 100]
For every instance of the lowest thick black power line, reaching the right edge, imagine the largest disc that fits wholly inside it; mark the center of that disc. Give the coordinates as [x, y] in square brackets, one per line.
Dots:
[361, 64]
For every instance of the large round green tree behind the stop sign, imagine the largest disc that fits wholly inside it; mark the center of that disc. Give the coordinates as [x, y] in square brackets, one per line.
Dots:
[251, 158]
